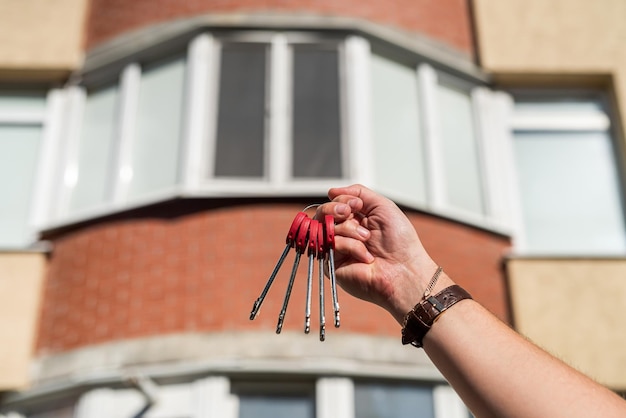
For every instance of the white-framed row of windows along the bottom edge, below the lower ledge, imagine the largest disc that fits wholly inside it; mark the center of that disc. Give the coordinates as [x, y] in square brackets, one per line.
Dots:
[277, 396]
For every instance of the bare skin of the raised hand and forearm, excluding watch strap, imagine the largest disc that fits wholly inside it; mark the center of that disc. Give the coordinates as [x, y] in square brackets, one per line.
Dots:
[380, 259]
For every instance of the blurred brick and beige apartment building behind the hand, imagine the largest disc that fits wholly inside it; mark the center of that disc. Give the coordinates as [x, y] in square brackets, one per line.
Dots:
[154, 153]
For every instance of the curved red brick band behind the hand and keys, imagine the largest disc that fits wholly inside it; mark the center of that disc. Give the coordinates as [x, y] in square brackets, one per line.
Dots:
[201, 272]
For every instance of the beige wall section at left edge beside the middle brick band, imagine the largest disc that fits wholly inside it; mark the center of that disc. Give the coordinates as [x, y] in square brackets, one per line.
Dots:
[21, 278]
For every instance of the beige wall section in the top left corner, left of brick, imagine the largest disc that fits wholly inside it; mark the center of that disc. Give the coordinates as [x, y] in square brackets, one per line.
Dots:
[41, 34]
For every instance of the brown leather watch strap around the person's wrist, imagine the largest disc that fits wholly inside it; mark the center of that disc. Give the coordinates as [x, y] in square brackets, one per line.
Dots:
[421, 318]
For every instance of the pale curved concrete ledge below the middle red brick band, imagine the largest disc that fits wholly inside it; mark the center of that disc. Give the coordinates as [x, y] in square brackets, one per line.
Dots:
[184, 357]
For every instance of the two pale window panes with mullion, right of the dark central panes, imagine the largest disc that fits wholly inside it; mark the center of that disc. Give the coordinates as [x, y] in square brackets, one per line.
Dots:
[427, 152]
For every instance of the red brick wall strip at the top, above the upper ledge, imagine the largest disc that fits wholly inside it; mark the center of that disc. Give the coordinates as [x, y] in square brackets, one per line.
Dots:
[445, 20]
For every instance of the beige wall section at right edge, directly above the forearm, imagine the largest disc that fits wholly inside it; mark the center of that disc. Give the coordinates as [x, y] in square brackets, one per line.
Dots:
[574, 309]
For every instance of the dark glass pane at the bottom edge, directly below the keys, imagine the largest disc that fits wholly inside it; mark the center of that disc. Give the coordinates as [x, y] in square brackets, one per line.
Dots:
[252, 406]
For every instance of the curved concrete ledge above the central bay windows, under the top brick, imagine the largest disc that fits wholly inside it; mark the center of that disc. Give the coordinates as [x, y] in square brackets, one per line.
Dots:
[176, 33]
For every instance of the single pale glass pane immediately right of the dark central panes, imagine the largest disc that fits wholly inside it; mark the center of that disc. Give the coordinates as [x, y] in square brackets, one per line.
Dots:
[398, 147]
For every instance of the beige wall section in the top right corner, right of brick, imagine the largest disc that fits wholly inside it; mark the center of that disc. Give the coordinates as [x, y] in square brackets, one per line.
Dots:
[559, 37]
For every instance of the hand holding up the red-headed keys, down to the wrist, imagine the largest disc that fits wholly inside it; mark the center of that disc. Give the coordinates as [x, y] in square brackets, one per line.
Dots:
[379, 257]
